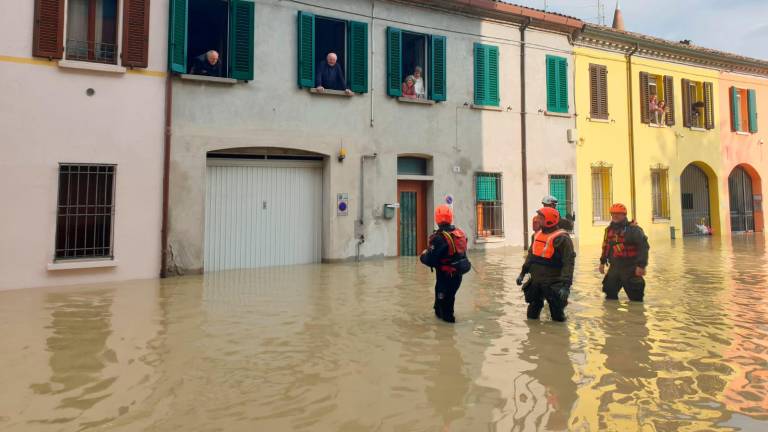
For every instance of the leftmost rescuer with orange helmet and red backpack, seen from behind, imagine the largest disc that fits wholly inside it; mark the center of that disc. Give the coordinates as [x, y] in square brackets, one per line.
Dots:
[446, 253]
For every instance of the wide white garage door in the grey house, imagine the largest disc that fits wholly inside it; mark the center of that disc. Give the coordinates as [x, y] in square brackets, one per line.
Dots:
[262, 213]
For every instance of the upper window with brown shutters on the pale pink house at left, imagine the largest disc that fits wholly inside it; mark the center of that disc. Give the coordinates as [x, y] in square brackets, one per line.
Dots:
[91, 32]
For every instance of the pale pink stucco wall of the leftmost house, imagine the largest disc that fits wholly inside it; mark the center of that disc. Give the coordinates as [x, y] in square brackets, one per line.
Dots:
[47, 118]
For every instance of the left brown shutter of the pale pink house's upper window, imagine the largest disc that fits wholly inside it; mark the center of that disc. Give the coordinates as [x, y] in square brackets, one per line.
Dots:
[48, 33]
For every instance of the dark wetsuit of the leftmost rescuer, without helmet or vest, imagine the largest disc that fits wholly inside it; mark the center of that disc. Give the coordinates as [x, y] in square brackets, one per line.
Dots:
[448, 282]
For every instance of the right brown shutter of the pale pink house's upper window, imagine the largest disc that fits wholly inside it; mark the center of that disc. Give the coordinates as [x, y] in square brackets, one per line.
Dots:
[135, 33]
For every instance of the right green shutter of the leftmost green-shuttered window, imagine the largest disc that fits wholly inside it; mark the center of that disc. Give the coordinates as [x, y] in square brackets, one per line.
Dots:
[241, 20]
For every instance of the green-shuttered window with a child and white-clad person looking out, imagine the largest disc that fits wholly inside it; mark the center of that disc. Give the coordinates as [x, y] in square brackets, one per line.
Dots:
[410, 55]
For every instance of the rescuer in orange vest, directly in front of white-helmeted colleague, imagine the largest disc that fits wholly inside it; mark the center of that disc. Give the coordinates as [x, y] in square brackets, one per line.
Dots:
[550, 263]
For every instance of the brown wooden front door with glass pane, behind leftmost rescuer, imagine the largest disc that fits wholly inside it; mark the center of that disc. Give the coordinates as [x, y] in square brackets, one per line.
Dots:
[411, 217]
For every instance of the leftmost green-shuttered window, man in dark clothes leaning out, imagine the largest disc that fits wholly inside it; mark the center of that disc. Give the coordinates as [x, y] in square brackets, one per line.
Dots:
[200, 27]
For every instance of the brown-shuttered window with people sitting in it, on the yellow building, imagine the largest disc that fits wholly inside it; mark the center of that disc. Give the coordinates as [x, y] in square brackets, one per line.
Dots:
[657, 99]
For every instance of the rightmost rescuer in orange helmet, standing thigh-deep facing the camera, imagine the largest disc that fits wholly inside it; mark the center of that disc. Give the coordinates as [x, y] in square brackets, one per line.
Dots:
[625, 251]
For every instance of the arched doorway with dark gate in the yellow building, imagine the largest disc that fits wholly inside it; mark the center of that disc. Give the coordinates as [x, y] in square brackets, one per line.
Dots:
[694, 190]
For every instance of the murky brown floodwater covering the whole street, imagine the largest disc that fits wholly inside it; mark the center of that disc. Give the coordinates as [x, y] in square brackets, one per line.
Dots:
[353, 347]
